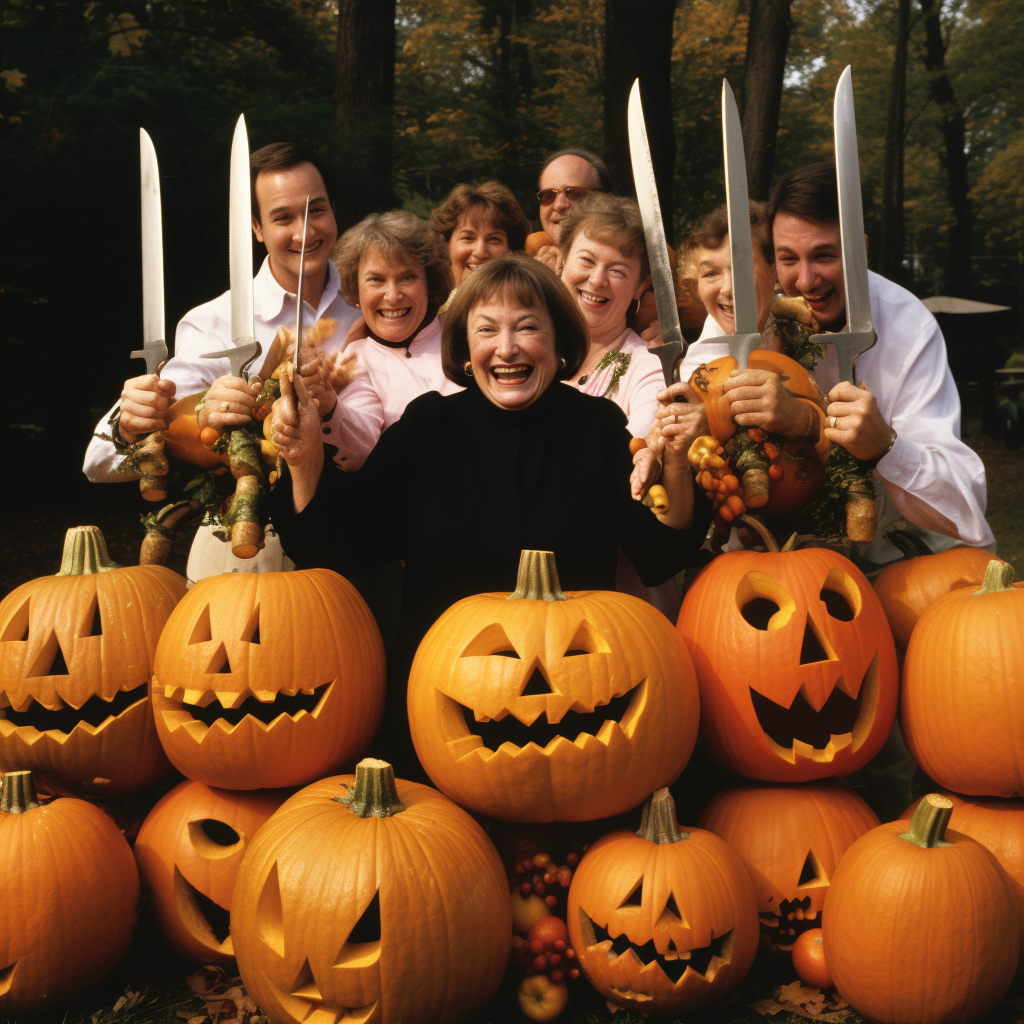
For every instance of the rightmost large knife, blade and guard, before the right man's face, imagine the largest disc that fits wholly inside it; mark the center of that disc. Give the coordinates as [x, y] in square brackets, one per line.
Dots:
[859, 335]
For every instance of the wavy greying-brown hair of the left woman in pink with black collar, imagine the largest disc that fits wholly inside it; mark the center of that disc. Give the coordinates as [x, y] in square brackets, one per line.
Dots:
[400, 237]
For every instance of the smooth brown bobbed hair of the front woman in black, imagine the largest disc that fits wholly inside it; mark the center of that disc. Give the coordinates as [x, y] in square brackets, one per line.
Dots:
[520, 279]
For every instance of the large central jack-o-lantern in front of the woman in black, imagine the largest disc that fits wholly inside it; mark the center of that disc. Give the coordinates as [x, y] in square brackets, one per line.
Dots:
[546, 707]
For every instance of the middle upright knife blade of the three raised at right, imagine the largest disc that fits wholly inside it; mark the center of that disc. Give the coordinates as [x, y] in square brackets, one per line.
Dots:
[745, 307]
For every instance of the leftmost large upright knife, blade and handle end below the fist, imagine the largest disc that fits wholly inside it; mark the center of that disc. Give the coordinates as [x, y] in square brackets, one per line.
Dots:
[153, 484]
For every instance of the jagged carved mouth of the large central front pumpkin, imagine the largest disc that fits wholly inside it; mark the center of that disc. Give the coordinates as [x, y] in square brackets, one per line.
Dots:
[576, 728]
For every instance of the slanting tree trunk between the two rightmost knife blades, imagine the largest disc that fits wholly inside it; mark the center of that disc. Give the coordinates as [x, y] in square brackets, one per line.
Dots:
[767, 41]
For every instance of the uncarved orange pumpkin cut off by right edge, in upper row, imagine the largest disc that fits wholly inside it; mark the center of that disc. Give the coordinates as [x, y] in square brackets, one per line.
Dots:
[963, 697]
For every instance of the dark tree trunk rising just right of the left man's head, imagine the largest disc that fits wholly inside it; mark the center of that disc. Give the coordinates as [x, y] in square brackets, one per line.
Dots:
[365, 102]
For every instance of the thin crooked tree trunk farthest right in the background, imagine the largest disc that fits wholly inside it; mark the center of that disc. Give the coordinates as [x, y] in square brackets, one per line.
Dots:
[956, 159]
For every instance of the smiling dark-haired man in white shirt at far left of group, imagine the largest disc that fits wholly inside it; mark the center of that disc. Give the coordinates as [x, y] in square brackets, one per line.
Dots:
[283, 175]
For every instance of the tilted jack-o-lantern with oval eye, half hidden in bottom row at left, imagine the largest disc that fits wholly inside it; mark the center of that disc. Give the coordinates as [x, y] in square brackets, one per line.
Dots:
[189, 852]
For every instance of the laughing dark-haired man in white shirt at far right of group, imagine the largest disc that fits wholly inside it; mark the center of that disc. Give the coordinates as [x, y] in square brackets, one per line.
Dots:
[906, 416]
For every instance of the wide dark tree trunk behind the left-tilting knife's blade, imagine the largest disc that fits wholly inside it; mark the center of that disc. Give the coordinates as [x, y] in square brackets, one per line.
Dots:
[638, 45]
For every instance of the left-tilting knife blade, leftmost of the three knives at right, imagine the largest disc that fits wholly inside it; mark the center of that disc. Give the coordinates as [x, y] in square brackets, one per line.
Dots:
[672, 351]
